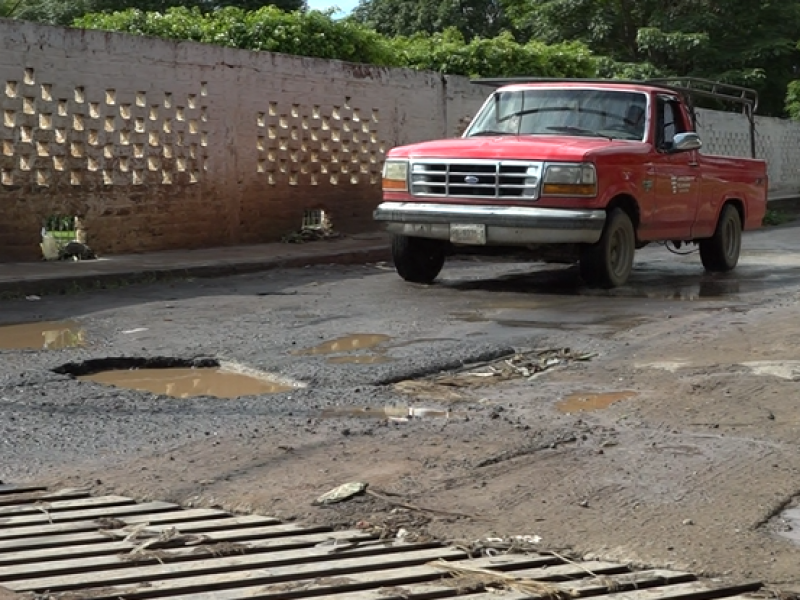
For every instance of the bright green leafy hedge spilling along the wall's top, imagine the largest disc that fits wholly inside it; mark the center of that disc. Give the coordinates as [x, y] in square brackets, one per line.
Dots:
[317, 34]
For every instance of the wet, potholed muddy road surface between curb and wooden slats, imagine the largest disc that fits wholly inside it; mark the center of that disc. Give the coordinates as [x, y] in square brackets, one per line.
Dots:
[671, 442]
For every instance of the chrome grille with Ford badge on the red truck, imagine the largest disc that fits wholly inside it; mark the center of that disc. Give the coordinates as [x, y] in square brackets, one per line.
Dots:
[476, 179]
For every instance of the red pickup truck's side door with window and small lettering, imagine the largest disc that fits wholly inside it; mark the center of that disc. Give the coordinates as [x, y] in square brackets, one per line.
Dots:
[677, 174]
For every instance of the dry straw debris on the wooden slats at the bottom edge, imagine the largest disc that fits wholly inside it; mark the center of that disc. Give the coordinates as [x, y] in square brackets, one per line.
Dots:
[476, 579]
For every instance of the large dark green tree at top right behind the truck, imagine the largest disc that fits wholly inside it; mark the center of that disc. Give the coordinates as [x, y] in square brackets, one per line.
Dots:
[749, 42]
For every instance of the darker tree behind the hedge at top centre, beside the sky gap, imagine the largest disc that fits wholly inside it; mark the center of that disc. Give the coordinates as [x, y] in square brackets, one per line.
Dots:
[473, 18]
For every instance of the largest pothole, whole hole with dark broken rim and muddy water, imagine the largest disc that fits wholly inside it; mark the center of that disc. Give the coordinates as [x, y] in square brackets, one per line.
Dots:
[179, 378]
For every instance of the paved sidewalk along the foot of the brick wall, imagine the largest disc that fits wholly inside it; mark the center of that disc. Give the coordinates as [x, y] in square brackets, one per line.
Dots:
[63, 276]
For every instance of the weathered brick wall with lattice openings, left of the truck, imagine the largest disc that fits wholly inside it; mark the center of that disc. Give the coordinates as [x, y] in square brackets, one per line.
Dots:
[161, 145]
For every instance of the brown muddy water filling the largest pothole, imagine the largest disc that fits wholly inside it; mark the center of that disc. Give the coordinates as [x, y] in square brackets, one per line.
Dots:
[190, 382]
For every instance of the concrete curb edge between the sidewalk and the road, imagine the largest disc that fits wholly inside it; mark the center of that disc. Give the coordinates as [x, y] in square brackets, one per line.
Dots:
[73, 282]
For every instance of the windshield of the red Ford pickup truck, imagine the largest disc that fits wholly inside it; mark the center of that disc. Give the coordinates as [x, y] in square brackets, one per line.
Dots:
[595, 113]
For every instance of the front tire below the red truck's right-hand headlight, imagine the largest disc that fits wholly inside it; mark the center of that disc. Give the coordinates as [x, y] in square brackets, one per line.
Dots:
[609, 262]
